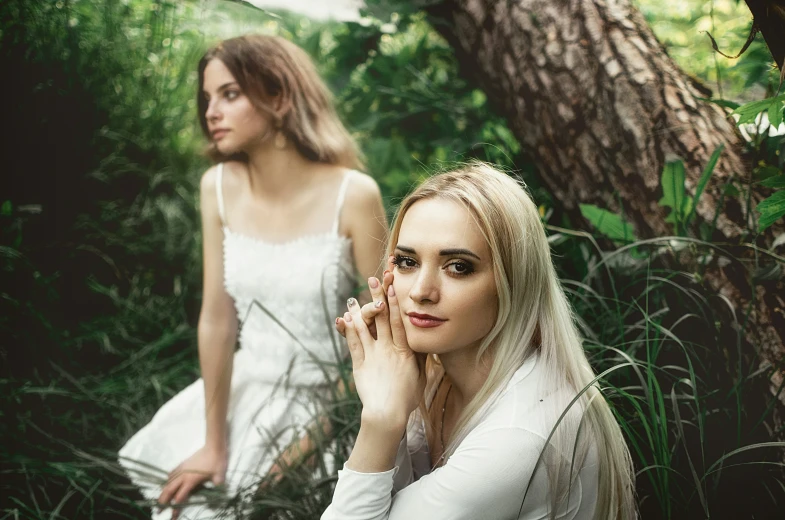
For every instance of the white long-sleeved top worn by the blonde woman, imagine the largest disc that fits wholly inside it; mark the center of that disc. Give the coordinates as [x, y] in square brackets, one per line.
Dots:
[488, 475]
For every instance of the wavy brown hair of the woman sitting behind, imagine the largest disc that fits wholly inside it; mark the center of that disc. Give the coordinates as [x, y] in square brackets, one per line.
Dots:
[271, 68]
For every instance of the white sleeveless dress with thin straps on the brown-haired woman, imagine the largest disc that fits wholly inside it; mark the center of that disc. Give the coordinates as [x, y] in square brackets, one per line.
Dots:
[286, 296]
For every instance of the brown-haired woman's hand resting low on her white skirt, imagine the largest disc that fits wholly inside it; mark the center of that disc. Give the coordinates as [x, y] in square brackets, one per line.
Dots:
[206, 465]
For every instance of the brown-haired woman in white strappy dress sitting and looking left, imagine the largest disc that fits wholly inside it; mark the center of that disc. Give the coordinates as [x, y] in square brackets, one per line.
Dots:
[287, 221]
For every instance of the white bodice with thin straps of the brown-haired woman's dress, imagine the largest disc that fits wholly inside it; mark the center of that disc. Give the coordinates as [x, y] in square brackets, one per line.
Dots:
[287, 296]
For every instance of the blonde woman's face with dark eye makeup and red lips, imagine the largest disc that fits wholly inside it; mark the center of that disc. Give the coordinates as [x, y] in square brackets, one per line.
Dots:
[444, 278]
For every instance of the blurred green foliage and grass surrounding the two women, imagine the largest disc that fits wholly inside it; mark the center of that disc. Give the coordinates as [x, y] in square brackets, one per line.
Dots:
[100, 258]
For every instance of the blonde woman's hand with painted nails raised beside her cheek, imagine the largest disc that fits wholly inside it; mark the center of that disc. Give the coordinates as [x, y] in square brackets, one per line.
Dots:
[386, 371]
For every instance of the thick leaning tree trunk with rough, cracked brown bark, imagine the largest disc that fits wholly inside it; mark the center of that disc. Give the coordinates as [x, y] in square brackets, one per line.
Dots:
[599, 105]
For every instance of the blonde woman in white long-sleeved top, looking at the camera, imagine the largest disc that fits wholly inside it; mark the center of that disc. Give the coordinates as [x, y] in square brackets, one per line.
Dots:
[477, 364]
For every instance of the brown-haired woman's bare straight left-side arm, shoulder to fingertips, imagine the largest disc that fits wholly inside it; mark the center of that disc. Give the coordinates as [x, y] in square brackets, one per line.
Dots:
[217, 335]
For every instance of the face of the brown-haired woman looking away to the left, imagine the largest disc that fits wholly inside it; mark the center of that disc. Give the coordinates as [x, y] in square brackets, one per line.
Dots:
[234, 123]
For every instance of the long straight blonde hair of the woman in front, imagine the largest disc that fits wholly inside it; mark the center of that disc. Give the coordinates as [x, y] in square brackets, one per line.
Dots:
[533, 313]
